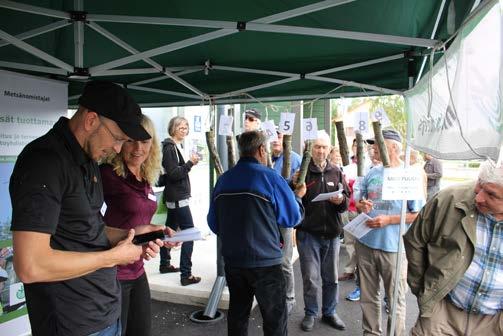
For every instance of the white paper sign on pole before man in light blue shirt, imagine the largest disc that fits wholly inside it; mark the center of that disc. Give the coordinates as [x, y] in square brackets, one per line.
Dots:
[403, 184]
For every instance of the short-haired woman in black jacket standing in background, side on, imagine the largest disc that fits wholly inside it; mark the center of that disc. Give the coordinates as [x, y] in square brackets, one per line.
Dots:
[176, 195]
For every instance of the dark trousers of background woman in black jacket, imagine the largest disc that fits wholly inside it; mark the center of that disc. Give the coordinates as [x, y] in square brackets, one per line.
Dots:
[180, 218]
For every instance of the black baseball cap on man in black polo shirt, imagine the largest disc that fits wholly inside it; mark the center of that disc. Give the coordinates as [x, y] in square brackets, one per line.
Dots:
[113, 102]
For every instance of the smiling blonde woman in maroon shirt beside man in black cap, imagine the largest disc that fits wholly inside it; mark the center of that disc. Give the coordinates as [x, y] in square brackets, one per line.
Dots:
[127, 186]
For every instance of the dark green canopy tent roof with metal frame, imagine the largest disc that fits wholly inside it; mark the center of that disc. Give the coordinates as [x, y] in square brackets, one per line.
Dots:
[185, 52]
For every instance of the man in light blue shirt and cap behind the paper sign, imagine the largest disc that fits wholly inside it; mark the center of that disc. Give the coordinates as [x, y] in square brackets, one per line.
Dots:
[377, 251]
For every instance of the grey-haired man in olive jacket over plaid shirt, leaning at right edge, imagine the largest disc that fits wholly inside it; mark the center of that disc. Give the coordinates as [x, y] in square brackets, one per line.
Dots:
[455, 258]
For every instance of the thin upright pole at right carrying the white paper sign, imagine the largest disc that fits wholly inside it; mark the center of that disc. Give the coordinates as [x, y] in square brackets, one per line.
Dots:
[402, 230]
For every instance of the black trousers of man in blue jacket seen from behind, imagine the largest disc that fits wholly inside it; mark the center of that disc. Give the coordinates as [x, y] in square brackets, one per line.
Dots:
[267, 284]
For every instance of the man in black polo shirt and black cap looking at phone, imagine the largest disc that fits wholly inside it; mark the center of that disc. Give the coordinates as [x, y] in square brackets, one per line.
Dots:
[64, 253]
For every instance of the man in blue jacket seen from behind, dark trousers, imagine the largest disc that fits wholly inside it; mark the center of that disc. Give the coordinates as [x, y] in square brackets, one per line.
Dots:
[249, 205]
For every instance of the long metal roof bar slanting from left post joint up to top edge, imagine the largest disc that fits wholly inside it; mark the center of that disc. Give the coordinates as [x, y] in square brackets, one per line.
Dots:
[217, 34]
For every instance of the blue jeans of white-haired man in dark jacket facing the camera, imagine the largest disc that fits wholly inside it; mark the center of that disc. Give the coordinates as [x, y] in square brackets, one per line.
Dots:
[319, 258]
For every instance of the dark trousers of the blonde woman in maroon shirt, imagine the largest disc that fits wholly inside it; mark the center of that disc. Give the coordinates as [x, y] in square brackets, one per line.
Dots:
[135, 315]
